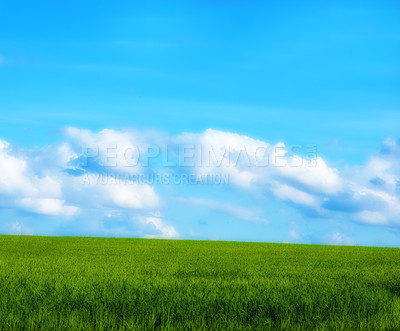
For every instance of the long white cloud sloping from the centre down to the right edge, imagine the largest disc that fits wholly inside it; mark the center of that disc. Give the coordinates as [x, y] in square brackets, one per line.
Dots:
[370, 193]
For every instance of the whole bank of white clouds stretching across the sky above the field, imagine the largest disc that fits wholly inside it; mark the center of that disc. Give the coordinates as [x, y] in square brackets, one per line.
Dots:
[96, 175]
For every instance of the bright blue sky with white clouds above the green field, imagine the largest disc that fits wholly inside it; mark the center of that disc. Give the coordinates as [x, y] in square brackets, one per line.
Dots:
[272, 121]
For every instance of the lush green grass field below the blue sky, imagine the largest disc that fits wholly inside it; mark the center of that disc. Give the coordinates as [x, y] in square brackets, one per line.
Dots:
[142, 284]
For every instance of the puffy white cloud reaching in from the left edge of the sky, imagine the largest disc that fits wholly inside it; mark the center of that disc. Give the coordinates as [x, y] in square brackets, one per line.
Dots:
[46, 195]
